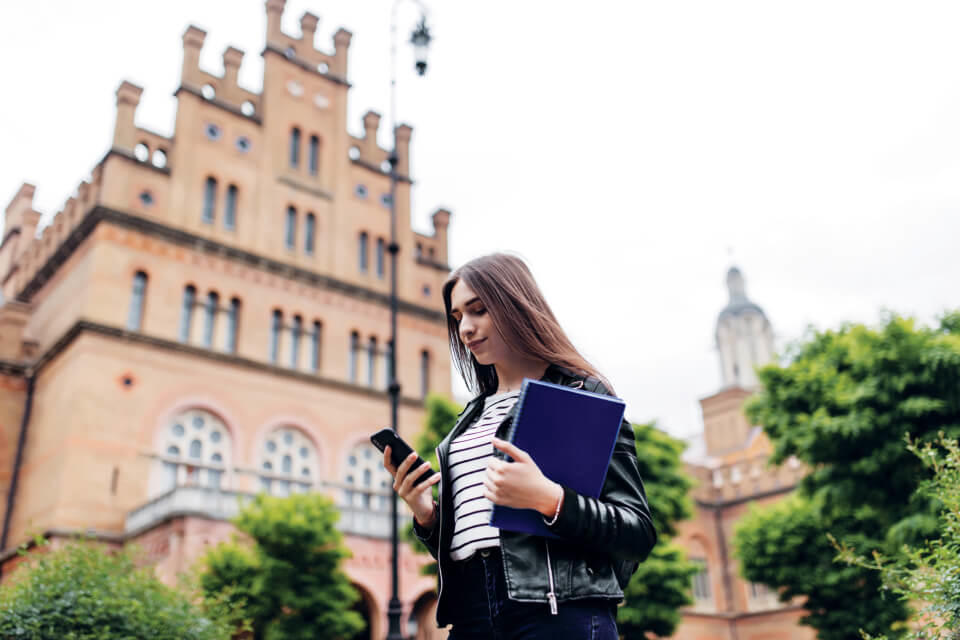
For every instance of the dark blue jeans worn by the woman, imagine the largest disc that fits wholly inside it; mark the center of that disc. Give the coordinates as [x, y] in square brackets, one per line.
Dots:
[483, 610]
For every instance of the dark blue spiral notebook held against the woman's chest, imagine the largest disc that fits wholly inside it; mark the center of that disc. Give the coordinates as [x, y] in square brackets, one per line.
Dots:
[570, 434]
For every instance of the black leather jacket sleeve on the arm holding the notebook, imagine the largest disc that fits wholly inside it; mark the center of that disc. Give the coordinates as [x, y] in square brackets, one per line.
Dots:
[619, 521]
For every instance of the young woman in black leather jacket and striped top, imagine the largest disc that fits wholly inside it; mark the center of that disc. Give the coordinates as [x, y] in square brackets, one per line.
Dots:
[498, 583]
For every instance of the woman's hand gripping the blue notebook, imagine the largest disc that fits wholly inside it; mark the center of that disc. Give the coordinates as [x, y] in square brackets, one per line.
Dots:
[520, 484]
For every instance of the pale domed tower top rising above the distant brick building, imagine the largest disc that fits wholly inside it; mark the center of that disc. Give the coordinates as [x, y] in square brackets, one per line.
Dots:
[744, 336]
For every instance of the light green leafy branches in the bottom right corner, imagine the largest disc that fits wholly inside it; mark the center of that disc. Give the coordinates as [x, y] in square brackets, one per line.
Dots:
[927, 573]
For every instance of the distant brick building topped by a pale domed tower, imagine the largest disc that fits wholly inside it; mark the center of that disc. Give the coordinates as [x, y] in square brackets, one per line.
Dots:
[732, 475]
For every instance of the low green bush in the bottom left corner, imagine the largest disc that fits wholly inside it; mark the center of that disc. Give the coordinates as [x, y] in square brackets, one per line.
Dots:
[82, 592]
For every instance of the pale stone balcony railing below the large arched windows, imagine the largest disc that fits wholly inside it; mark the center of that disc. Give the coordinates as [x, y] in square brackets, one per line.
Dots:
[222, 504]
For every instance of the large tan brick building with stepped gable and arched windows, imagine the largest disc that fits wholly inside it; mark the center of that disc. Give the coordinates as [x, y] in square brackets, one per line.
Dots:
[208, 317]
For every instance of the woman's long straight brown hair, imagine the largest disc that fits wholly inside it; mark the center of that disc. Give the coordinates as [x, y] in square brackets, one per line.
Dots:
[520, 315]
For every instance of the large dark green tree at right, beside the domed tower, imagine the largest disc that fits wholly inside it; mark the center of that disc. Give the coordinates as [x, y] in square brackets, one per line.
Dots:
[842, 405]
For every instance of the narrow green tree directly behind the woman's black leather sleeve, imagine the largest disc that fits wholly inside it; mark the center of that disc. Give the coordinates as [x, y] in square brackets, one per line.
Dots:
[662, 583]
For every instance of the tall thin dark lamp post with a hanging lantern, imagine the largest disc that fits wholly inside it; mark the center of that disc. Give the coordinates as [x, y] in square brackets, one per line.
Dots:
[420, 38]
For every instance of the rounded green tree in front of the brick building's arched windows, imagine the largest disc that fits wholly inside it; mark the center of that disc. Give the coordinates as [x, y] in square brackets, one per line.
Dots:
[287, 579]
